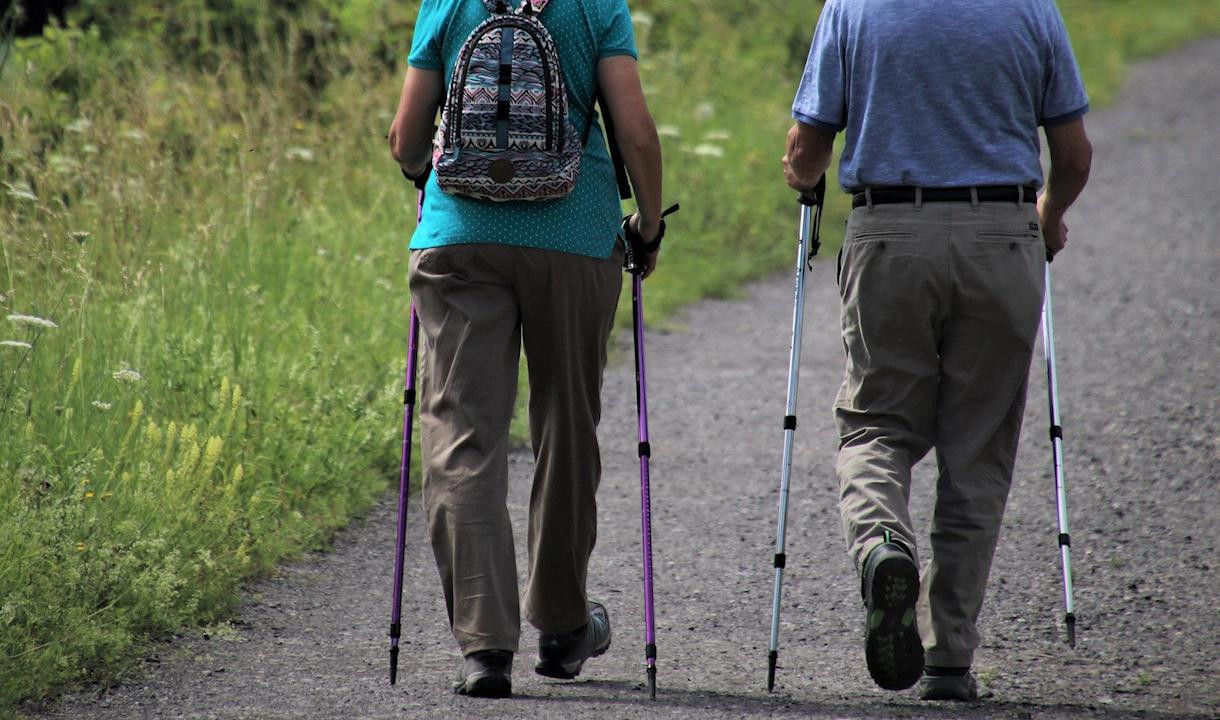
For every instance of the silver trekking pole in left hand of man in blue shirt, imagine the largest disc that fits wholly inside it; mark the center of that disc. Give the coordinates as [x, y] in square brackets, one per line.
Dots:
[809, 242]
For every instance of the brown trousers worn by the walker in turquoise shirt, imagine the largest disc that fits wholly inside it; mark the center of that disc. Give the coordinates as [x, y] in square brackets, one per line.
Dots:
[478, 304]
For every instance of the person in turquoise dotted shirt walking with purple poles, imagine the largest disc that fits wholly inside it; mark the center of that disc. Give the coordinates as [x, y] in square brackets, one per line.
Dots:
[489, 279]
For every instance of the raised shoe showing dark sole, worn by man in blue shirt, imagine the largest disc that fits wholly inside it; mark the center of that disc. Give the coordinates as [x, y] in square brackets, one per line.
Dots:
[891, 639]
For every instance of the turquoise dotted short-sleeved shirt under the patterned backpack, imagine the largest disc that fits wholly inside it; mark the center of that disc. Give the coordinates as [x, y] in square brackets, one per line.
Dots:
[586, 223]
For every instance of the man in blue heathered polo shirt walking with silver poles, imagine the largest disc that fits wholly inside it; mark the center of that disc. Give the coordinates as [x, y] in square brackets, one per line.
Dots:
[942, 285]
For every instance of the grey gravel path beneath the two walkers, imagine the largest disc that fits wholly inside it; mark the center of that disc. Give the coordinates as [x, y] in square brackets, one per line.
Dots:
[1136, 320]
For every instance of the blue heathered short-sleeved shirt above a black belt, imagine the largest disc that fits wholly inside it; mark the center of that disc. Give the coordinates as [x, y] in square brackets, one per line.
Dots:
[945, 93]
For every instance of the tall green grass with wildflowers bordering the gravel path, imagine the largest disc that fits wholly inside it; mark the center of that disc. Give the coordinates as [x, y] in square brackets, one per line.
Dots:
[203, 204]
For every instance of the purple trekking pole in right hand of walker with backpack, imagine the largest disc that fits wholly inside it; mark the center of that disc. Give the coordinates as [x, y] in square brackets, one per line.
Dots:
[636, 264]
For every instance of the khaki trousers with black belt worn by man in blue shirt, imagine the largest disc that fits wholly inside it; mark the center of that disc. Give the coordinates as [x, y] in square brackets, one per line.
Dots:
[941, 304]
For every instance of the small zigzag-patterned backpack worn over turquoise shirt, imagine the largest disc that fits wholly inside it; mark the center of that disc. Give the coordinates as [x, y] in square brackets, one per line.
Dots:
[504, 132]
